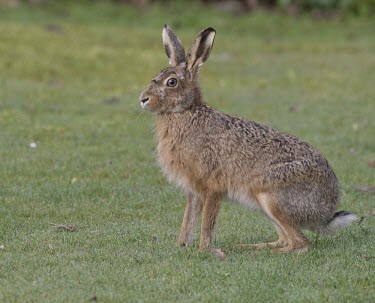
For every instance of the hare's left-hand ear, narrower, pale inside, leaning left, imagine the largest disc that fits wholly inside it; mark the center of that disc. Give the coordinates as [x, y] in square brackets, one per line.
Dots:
[173, 46]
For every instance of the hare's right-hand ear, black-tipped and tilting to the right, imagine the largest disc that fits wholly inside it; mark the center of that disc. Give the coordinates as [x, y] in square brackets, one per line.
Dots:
[200, 50]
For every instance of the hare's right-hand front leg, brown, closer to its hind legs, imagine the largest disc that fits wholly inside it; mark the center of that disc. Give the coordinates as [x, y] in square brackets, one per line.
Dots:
[211, 209]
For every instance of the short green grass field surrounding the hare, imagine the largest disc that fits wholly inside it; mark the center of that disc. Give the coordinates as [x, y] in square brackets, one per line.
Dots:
[76, 150]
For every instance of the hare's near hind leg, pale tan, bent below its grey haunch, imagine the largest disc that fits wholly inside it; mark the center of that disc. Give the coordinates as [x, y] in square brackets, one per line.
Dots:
[295, 239]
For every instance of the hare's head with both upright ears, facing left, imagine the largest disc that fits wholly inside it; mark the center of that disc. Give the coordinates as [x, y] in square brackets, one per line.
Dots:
[176, 88]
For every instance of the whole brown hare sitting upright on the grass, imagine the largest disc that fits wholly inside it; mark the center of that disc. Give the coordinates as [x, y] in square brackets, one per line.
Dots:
[212, 155]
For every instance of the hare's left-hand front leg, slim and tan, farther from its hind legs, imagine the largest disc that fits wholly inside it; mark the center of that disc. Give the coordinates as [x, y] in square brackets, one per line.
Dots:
[193, 209]
